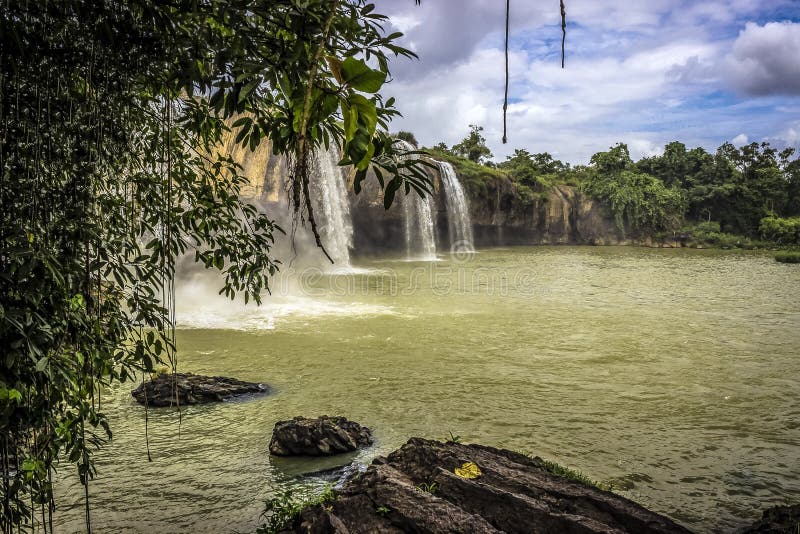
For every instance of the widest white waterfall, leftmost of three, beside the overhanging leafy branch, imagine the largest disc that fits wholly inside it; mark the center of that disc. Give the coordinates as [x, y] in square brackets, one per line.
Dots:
[332, 207]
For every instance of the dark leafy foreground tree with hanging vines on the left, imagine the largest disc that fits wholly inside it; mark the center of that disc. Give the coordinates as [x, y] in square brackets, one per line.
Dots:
[112, 114]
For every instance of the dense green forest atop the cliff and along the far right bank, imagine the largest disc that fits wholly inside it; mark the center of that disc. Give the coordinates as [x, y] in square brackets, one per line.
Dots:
[733, 197]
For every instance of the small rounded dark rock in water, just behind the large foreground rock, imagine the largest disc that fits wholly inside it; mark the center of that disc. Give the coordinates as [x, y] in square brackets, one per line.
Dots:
[322, 436]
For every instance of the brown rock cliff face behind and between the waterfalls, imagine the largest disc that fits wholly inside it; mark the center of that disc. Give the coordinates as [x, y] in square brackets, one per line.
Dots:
[560, 215]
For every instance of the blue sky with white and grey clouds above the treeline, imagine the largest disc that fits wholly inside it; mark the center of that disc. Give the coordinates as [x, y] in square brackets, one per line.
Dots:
[643, 72]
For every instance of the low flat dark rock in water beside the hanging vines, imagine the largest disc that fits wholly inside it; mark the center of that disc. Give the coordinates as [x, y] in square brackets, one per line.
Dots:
[192, 389]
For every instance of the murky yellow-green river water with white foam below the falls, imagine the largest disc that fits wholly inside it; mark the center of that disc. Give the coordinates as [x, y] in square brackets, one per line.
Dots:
[672, 374]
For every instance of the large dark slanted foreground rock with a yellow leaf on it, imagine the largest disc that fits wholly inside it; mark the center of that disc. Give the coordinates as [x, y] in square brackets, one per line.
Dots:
[417, 489]
